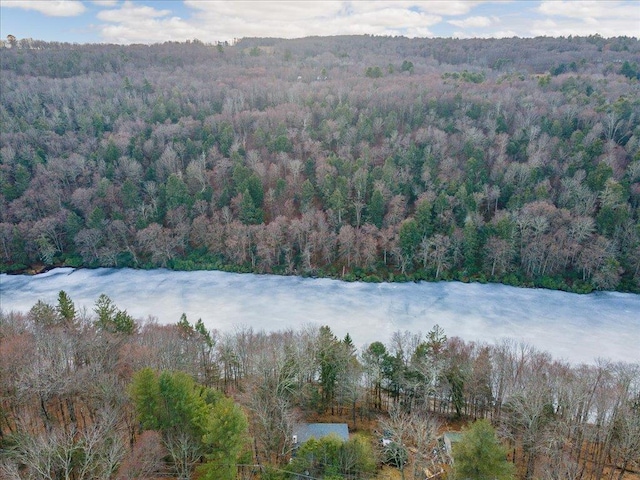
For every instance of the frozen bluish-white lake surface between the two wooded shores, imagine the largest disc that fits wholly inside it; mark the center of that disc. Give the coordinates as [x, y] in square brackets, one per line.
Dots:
[578, 328]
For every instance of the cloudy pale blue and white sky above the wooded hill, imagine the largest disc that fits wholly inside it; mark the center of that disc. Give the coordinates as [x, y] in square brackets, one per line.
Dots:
[151, 21]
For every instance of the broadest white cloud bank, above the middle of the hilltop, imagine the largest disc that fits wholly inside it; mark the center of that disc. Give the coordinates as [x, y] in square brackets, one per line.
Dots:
[224, 20]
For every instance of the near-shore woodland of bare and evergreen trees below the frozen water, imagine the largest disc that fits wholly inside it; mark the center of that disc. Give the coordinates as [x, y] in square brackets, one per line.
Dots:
[99, 395]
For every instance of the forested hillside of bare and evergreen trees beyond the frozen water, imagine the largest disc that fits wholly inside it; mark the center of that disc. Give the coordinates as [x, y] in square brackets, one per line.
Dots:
[374, 158]
